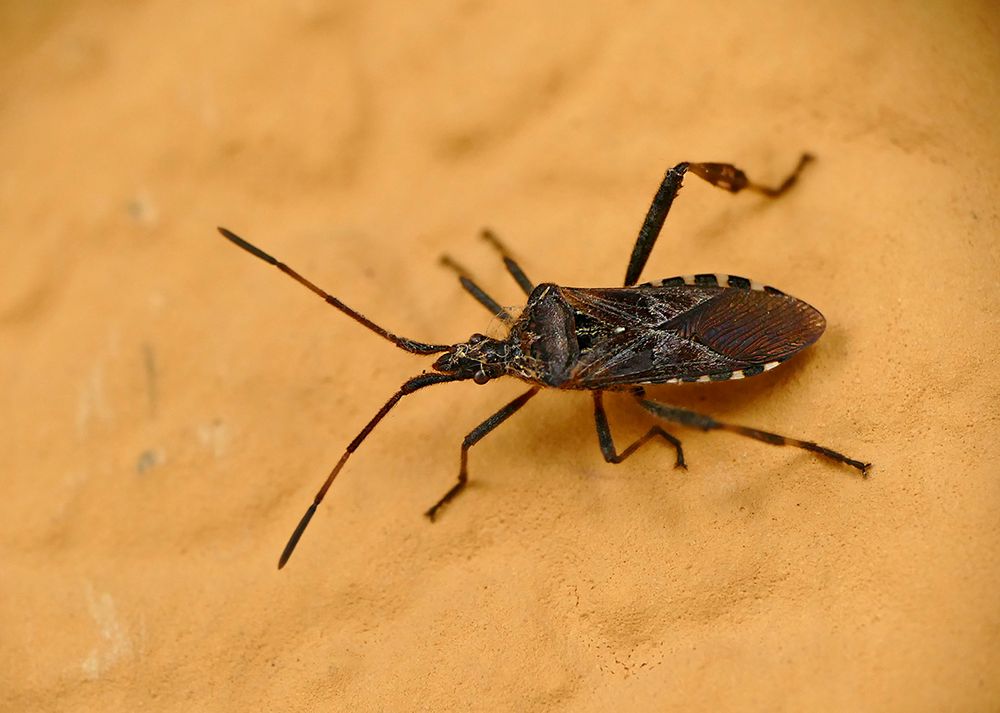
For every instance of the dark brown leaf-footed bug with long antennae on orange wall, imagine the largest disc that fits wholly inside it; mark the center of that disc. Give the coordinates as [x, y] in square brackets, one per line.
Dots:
[706, 327]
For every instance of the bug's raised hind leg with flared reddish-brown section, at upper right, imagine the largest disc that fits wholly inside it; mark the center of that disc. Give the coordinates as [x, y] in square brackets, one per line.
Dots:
[723, 175]
